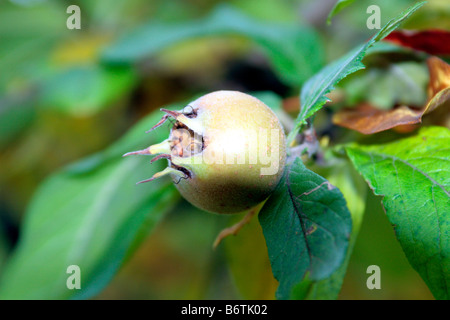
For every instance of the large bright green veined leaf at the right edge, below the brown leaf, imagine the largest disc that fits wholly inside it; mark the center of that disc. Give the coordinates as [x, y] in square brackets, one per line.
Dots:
[413, 176]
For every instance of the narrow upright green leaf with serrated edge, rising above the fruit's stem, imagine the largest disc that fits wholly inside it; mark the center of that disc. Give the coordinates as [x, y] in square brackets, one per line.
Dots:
[313, 94]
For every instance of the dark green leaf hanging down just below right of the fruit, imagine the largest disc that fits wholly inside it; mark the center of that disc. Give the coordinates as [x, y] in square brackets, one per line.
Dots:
[307, 227]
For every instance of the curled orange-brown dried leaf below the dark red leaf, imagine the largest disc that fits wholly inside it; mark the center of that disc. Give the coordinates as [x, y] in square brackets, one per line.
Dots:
[368, 119]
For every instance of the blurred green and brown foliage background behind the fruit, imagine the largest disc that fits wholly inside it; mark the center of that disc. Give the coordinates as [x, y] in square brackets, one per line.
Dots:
[67, 97]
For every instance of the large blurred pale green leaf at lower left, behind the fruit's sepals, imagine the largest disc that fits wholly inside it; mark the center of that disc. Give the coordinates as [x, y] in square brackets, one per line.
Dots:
[89, 214]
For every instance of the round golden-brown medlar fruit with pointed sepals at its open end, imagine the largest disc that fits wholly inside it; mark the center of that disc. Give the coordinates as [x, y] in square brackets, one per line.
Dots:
[235, 156]
